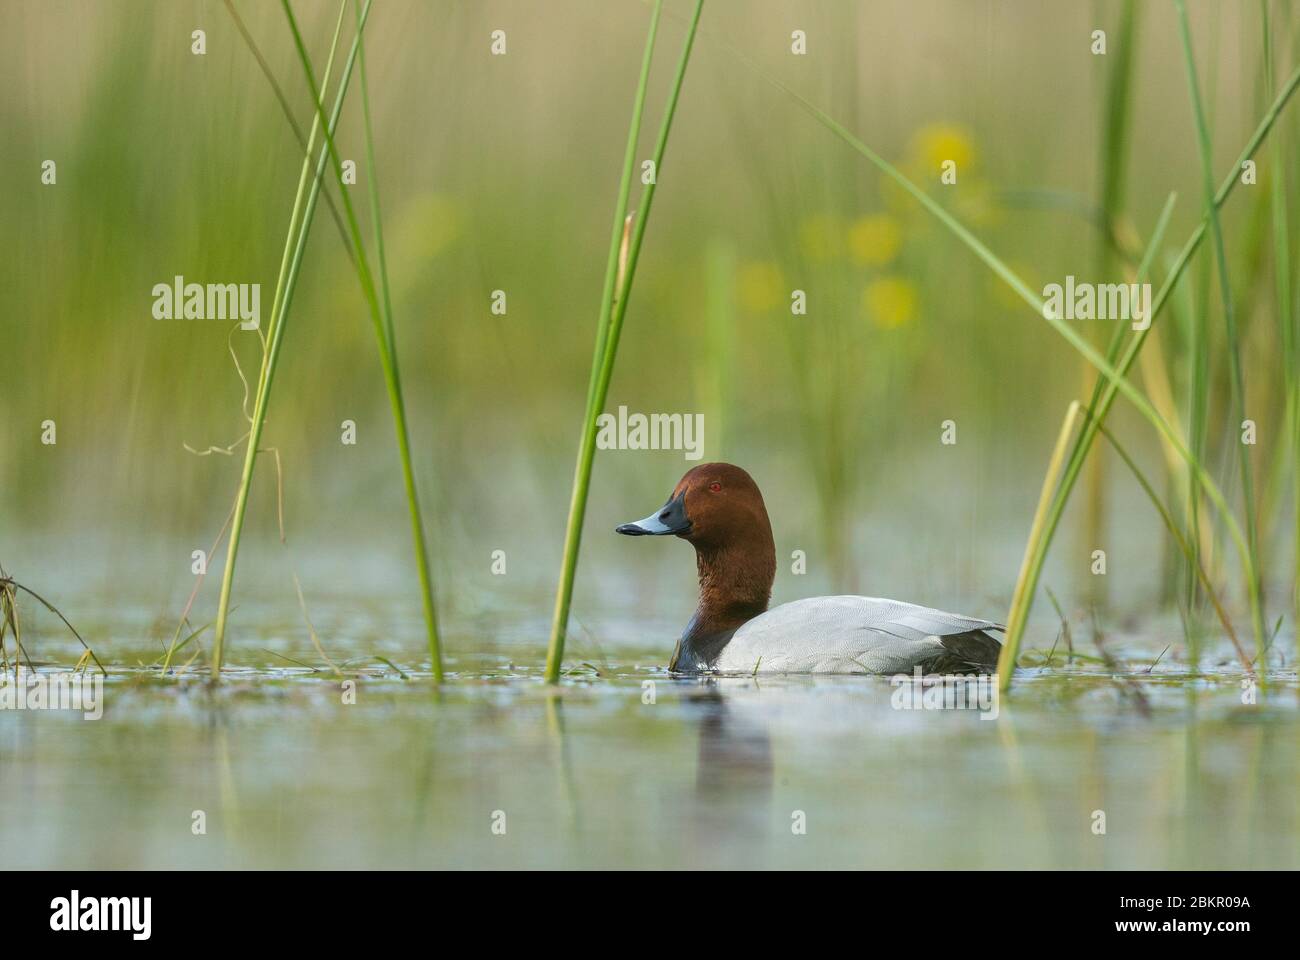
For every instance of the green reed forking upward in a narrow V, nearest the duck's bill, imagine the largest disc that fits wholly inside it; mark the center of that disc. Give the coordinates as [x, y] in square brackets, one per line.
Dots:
[614, 306]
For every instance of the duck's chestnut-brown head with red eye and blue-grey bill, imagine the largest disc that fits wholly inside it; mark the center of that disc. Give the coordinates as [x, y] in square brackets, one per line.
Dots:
[714, 507]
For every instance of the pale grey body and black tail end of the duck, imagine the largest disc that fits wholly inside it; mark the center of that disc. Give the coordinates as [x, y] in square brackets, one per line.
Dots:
[860, 635]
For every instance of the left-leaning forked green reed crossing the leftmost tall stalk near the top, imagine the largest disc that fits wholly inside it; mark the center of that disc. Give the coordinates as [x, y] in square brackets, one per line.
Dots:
[382, 319]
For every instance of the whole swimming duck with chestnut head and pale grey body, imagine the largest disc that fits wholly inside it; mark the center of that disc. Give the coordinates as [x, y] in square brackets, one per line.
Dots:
[720, 511]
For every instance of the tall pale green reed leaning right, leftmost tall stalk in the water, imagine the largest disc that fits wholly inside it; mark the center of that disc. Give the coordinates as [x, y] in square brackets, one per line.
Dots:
[296, 243]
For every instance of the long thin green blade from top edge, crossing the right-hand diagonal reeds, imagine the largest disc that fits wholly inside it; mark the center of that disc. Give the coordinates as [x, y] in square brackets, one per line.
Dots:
[1236, 375]
